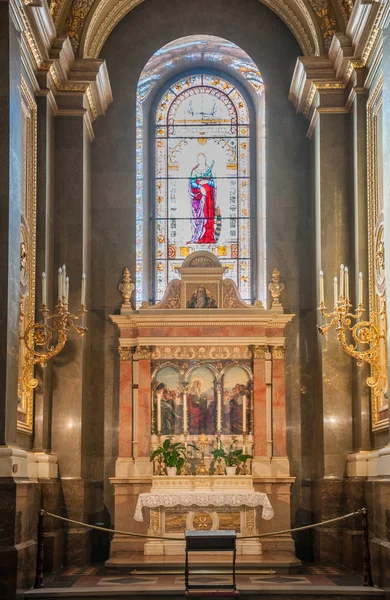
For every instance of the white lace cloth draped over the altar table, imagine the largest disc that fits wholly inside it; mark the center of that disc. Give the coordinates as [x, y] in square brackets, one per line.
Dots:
[203, 499]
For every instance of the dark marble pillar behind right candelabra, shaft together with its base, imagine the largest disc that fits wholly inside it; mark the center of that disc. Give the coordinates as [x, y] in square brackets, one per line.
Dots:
[334, 220]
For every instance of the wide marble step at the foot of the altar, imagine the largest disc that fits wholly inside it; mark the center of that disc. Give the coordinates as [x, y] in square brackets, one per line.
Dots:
[267, 563]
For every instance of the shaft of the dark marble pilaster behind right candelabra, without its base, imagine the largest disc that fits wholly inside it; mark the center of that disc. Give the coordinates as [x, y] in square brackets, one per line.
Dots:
[334, 227]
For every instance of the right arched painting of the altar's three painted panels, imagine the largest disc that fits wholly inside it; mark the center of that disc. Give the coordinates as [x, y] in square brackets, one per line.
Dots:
[236, 397]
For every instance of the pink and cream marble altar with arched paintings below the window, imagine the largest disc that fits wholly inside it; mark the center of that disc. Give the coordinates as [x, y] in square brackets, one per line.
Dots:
[202, 367]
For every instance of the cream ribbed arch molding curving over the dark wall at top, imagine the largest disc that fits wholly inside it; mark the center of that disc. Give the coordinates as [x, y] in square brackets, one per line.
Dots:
[89, 25]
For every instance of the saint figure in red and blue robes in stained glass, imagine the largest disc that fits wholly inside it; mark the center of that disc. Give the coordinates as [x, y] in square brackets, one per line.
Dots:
[202, 194]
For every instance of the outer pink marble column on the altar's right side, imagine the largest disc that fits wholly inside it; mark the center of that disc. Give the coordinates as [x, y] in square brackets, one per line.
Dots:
[278, 401]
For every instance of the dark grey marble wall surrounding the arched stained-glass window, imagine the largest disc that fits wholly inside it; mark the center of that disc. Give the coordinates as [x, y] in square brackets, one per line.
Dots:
[290, 235]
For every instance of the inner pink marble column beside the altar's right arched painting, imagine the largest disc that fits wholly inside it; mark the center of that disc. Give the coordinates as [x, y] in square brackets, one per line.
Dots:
[259, 400]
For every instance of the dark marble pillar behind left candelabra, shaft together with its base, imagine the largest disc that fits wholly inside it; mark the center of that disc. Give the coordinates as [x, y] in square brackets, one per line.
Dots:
[73, 412]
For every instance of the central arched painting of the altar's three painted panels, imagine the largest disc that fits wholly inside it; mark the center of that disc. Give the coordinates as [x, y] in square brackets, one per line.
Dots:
[201, 401]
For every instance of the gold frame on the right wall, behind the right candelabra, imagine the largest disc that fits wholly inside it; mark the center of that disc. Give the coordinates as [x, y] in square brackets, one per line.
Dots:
[377, 298]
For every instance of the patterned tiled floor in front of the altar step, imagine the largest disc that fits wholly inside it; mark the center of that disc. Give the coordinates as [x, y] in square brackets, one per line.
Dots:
[97, 576]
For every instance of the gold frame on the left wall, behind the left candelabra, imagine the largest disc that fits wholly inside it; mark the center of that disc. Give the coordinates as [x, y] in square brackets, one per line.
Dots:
[28, 235]
